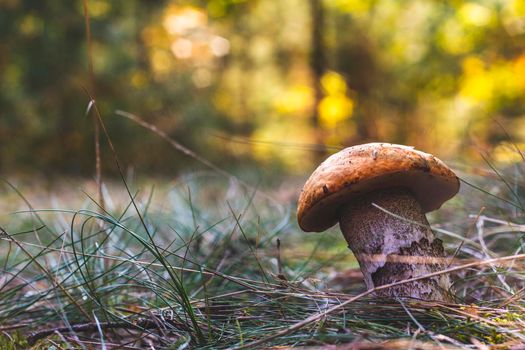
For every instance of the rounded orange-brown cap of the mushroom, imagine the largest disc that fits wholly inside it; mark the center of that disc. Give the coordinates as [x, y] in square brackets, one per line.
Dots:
[360, 169]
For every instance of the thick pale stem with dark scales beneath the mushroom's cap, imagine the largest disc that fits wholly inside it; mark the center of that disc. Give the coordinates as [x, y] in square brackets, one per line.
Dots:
[393, 248]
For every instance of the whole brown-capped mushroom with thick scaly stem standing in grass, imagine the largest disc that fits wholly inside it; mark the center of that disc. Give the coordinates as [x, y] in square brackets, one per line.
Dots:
[379, 193]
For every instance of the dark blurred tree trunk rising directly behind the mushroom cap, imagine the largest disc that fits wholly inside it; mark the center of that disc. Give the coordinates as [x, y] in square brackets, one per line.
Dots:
[317, 63]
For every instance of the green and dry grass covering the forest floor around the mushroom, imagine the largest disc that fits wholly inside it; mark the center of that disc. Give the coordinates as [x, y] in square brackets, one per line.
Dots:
[199, 268]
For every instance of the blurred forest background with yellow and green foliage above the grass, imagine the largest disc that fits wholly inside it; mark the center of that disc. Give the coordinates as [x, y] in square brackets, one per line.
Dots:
[275, 84]
